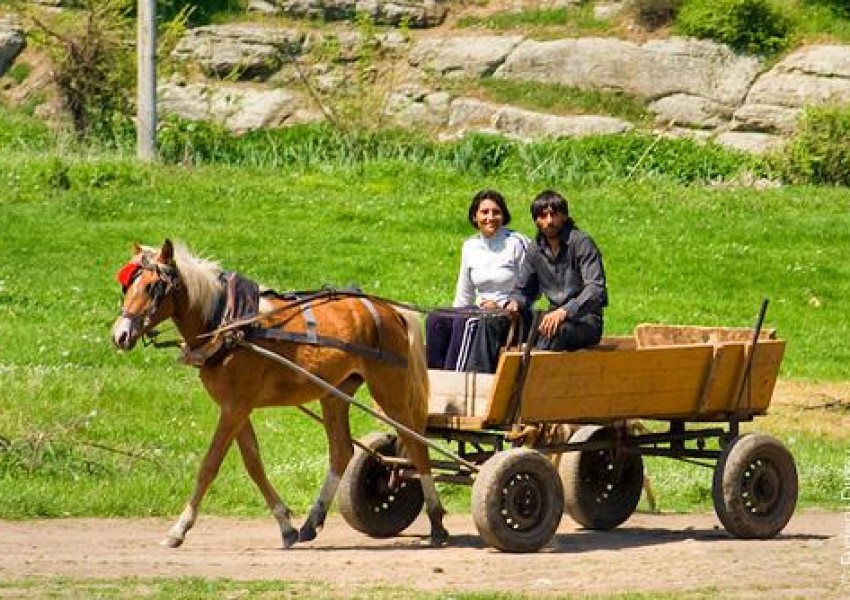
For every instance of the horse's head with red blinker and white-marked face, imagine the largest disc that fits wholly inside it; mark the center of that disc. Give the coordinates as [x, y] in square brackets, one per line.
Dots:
[148, 282]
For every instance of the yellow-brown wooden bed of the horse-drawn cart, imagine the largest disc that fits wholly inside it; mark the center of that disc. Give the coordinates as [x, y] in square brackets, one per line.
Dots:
[662, 372]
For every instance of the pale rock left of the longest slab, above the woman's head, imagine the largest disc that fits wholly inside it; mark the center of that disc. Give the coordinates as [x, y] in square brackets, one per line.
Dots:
[467, 56]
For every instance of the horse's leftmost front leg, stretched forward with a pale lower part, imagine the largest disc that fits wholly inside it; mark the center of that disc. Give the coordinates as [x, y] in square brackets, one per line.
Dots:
[228, 425]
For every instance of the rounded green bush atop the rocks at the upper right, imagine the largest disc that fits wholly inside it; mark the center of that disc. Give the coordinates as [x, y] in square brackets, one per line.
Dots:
[750, 26]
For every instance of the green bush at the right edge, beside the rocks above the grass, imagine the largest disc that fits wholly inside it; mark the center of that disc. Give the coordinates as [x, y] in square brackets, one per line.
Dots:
[818, 152]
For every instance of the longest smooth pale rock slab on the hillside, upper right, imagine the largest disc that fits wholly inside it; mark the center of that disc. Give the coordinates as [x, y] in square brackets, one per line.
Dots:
[652, 70]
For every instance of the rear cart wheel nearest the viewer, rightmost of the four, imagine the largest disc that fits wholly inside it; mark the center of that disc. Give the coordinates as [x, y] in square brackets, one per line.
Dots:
[755, 486]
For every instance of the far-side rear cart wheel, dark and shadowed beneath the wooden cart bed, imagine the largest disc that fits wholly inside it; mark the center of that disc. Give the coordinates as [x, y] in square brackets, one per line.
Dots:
[601, 488]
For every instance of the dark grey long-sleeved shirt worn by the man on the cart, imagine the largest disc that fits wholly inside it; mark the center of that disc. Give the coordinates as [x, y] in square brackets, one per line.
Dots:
[574, 280]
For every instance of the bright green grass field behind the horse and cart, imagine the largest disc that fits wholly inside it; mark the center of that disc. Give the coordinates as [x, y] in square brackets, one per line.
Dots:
[85, 430]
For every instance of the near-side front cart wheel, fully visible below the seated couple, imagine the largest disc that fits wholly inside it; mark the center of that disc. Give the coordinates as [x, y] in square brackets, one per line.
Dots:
[517, 500]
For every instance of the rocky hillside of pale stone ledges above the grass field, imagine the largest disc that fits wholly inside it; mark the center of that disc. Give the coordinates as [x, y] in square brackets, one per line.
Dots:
[410, 66]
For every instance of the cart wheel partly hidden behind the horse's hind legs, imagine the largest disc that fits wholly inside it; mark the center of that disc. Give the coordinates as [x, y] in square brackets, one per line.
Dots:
[365, 498]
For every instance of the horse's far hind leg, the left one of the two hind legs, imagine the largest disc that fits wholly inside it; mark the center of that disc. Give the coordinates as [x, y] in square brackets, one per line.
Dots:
[335, 416]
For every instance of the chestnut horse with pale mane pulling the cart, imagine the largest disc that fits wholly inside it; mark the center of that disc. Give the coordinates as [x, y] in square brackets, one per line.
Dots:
[172, 283]
